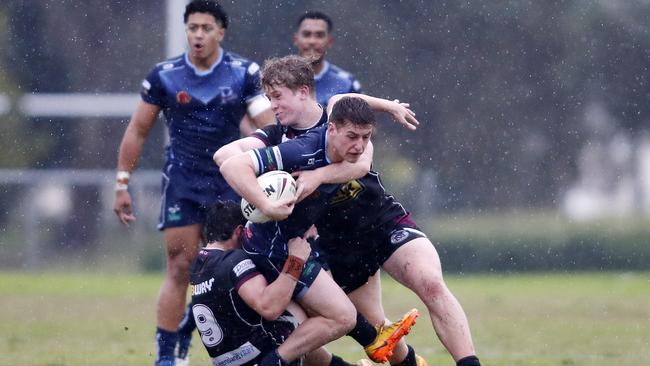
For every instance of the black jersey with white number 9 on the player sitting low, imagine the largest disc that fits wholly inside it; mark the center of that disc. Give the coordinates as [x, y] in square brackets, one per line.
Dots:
[232, 332]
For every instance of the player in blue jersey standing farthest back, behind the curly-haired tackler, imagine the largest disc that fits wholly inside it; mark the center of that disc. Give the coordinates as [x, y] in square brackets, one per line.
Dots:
[313, 37]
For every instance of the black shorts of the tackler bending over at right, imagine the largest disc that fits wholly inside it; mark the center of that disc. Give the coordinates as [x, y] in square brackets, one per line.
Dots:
[354, 258]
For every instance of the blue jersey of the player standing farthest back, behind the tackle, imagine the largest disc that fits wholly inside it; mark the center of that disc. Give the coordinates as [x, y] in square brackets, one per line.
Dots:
[333, 80]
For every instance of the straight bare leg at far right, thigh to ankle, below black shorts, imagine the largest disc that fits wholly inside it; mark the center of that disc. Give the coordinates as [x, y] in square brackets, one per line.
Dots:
[416, 265]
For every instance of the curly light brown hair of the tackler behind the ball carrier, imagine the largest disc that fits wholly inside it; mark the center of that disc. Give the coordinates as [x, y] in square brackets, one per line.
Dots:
[291, 71]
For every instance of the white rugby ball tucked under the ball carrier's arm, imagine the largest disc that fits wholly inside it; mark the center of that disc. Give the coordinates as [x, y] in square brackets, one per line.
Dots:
[276, 185]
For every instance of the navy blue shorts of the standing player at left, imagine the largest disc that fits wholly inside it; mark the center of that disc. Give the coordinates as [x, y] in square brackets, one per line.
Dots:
[187, 194]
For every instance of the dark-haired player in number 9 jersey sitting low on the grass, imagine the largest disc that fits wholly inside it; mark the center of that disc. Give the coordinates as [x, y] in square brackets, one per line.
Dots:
[241, 318]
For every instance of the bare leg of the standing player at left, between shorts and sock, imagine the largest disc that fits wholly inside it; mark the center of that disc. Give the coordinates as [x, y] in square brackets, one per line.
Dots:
[182, 246]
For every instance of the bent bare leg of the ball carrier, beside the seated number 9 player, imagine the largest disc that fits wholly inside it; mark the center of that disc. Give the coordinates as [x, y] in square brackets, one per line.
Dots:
[332, 315]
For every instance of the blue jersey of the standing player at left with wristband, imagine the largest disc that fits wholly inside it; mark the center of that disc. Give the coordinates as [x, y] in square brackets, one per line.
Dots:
[202, 108]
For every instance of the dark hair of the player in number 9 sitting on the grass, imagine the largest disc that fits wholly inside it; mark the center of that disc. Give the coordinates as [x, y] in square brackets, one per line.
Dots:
[222, 218]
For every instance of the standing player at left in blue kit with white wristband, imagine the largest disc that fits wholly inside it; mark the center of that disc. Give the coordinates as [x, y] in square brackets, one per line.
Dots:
[203, 94]
